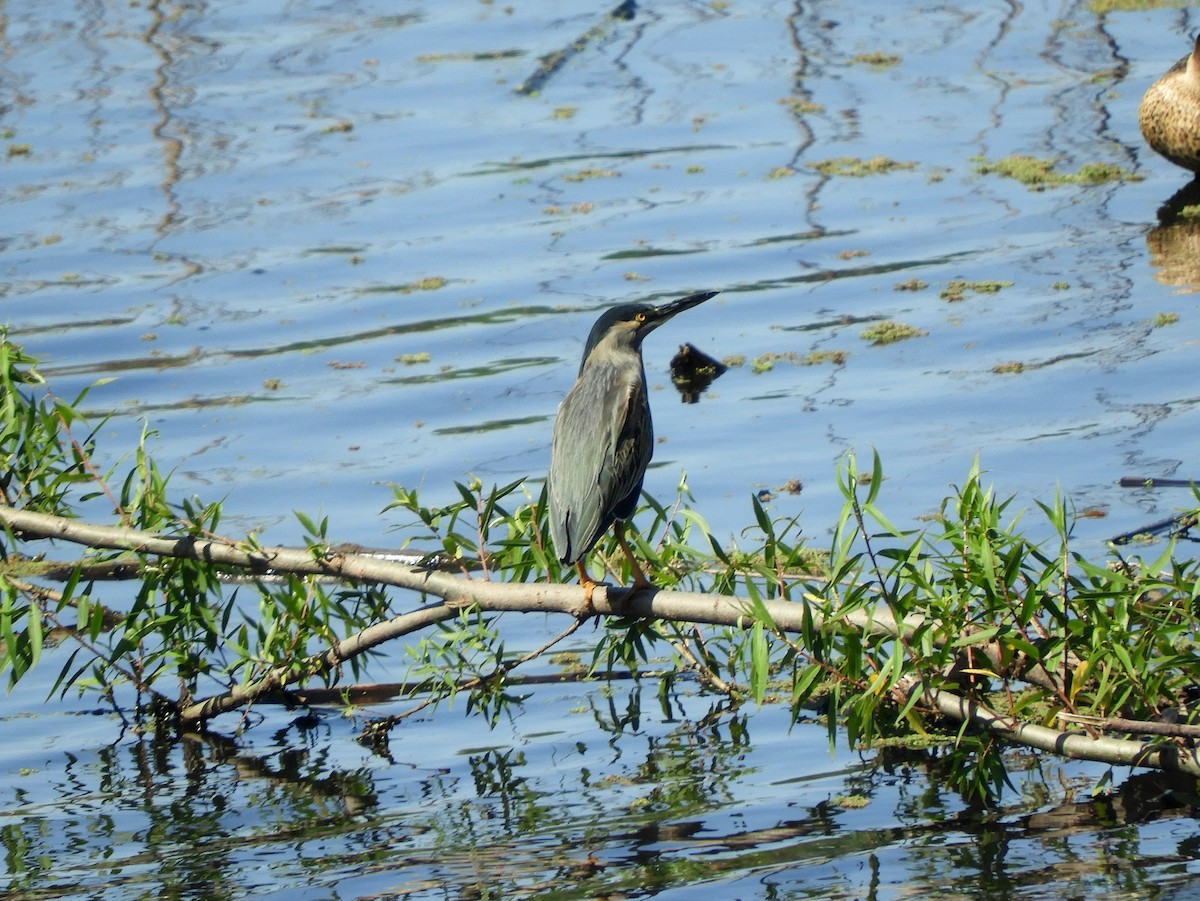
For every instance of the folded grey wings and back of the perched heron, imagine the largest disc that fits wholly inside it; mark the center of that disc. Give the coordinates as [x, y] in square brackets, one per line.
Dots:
[598, 458]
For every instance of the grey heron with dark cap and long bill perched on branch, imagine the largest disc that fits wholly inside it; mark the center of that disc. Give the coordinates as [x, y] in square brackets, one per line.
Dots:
[604, 437]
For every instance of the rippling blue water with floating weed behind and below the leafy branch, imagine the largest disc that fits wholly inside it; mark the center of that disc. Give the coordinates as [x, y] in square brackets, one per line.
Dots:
[231, 209]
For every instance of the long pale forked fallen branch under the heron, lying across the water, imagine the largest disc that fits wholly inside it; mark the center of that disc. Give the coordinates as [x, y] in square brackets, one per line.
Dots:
[459, 593]
